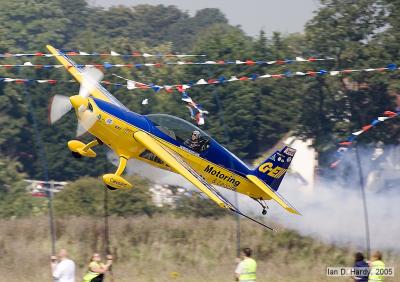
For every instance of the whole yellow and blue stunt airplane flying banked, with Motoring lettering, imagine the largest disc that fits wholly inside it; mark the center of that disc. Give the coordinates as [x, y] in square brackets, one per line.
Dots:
[164, 141]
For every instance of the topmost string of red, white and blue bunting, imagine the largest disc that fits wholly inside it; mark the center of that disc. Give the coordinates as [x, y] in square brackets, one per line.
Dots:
[107, 65]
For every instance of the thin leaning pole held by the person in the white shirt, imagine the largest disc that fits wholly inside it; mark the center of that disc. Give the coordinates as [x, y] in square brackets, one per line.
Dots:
[43, 160]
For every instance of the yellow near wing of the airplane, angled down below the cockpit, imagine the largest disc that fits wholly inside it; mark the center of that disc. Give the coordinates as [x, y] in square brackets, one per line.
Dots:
[180, 166]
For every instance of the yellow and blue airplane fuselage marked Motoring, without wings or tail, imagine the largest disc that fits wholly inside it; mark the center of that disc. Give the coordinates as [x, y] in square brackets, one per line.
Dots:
[115, 127]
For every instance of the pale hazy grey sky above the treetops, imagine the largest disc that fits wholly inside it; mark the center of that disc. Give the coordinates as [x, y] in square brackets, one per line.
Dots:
[285, 16]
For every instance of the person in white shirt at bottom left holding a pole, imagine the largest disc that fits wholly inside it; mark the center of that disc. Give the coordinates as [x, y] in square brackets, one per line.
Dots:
[63, 270]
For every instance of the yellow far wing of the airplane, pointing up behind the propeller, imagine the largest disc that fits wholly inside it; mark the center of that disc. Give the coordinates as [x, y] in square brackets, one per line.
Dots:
[98, 91]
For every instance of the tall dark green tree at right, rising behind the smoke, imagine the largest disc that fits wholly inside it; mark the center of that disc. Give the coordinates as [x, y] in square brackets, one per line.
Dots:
[336, 106]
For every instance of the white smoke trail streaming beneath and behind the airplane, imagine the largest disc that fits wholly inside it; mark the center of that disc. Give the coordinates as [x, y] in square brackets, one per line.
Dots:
[329, 211]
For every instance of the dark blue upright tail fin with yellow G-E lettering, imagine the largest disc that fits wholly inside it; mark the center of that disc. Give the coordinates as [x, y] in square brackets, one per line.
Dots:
[273, 169]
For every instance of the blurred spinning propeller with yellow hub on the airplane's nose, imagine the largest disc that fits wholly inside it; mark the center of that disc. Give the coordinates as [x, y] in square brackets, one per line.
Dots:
[61, 105]
